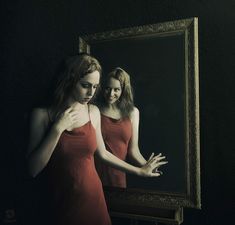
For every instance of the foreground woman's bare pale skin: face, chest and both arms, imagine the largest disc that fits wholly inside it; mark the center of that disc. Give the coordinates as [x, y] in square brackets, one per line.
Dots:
[43, 141]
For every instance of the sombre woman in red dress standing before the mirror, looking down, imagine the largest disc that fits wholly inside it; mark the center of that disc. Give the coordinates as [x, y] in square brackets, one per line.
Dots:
[63, 139]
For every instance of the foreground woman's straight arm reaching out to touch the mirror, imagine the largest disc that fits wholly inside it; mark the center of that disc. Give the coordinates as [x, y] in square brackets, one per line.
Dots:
[110, 159]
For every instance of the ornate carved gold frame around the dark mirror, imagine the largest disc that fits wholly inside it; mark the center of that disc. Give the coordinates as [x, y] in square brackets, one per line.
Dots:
[148, 204]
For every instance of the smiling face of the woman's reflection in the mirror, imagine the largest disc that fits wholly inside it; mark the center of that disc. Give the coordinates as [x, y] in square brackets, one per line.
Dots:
[113, 90]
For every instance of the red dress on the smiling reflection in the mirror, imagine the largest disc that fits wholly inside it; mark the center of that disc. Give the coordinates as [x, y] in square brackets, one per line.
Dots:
[116, 135]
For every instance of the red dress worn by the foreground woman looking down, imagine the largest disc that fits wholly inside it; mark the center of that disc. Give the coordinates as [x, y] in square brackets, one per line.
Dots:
[77, 192]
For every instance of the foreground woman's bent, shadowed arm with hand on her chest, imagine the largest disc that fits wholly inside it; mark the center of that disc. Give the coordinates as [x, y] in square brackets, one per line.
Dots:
[42, 141]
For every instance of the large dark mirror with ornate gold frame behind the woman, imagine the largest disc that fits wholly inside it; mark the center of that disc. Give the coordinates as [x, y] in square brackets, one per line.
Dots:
[162, 60]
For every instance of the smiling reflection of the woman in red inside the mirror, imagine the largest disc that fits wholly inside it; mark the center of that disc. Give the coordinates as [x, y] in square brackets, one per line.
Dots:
[119, 126]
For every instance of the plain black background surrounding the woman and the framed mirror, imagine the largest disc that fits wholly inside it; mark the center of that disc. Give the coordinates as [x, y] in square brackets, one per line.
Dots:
[36, 35]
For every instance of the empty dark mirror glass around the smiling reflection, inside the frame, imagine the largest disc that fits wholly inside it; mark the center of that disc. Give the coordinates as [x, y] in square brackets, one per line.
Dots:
[159, 91]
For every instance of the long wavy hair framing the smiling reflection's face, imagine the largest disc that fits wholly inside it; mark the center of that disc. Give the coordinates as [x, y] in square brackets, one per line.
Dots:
[126, 101]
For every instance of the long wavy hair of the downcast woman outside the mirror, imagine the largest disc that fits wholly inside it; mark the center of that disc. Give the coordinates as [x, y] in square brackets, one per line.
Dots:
[73, 69]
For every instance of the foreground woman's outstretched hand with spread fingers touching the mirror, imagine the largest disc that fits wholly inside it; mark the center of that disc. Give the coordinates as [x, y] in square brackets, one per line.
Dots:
[150, 169]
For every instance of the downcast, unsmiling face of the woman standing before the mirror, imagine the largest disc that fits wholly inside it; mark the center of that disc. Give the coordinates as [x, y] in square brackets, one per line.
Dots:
[86, 87]
